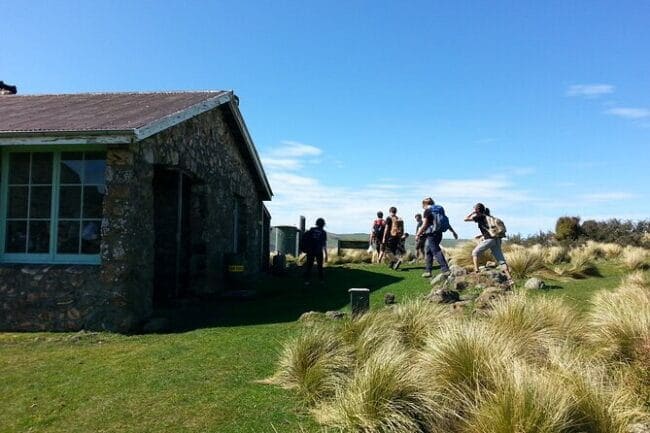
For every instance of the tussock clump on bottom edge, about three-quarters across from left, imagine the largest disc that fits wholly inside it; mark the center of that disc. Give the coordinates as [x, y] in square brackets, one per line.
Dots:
[524, 401]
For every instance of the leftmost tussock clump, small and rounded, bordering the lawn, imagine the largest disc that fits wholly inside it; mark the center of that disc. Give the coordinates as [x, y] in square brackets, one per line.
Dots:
[314, 363]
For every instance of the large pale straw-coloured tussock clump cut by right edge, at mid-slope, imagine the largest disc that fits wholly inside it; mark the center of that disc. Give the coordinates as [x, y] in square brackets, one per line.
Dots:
[619, 323]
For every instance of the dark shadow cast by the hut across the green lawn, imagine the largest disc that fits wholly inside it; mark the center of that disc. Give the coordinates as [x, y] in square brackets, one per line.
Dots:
[278, 299]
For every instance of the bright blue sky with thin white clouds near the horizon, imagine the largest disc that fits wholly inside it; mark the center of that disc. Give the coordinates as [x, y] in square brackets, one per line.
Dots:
[537, 109]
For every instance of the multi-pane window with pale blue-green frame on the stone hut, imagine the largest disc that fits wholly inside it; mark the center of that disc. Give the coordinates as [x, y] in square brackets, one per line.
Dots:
[52, 206]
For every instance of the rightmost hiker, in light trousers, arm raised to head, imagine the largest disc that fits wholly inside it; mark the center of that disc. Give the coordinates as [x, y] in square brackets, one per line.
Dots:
[489, 240]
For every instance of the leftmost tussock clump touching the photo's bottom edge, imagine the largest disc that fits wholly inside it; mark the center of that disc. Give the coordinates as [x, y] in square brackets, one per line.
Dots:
[384, 396]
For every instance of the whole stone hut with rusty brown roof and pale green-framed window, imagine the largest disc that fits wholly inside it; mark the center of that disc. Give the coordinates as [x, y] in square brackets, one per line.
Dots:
[114, 203]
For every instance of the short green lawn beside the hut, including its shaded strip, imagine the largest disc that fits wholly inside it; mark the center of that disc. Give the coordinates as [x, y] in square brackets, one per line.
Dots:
[202, 377]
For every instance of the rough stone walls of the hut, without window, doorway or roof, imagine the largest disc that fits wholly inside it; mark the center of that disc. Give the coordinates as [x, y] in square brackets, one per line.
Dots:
[117, 295]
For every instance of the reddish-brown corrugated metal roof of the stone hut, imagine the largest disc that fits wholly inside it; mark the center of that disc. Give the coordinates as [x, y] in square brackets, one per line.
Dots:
[90, 112]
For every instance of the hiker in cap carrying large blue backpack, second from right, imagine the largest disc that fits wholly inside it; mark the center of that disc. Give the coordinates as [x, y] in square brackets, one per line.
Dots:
[435, 224]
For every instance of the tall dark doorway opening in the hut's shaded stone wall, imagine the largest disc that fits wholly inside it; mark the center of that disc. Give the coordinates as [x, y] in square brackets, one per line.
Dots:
[172, 244]
